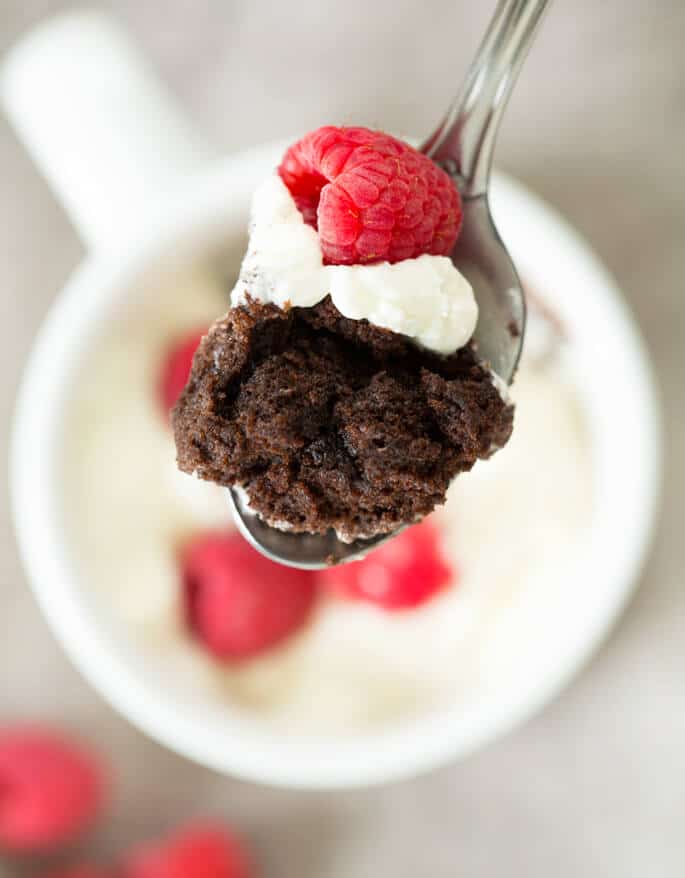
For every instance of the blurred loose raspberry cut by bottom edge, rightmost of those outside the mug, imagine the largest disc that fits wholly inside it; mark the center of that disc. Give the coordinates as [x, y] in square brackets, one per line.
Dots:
[200, 851]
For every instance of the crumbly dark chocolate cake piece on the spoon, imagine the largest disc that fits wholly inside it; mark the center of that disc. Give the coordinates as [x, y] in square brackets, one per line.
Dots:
[328, 422]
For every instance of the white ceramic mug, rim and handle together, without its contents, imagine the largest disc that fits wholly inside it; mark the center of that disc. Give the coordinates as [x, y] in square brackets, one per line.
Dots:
[142, 191]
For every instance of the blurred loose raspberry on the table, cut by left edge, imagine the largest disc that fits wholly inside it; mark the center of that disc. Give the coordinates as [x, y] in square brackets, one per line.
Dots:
[49, 789]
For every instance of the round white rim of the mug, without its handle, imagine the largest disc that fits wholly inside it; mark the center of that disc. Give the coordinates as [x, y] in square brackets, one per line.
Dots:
[371, 758]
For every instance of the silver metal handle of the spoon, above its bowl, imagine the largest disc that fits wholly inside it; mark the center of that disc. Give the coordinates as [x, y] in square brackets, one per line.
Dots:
[465, 140]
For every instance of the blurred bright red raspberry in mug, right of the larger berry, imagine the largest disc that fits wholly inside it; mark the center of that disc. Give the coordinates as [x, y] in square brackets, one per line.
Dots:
[404, 573]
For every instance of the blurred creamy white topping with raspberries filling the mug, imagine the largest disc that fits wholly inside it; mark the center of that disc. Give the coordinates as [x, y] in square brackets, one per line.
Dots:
[424, 621]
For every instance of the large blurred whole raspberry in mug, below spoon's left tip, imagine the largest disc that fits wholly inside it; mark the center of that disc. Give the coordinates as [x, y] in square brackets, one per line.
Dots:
[238, 602]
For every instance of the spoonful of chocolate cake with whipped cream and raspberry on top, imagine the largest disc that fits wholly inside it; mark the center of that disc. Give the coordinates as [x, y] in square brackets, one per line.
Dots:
[342, 390]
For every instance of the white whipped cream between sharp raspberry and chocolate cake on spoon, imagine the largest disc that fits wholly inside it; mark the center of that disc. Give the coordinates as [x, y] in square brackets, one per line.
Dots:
[425, 298]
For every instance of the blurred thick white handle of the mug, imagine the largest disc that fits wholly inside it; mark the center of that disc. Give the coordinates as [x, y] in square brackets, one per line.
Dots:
[106, 134]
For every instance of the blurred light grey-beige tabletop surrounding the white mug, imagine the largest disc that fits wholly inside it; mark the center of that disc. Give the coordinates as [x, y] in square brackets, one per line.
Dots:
[595, 786]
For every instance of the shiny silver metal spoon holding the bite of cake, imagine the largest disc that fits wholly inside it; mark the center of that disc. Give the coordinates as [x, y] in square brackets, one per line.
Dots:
[463, 145]
